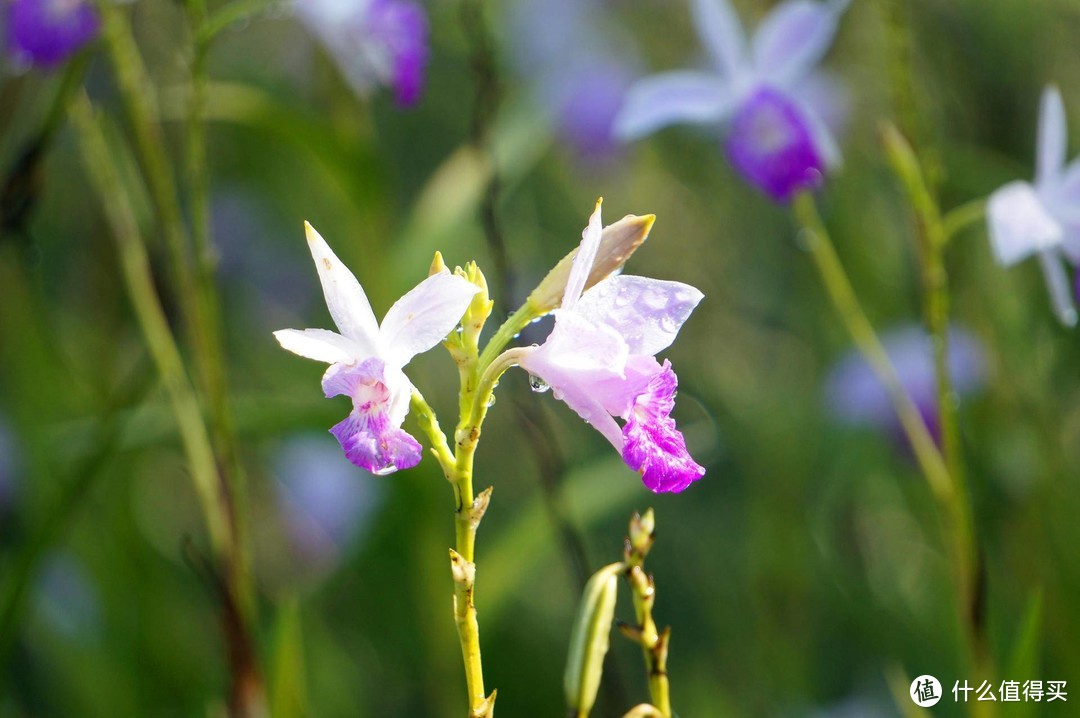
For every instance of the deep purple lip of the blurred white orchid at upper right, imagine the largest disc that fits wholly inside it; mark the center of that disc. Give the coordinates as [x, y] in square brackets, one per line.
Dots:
[772, 144]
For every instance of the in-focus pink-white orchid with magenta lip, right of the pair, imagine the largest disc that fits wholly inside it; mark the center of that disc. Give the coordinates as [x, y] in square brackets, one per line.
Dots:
[601, 360]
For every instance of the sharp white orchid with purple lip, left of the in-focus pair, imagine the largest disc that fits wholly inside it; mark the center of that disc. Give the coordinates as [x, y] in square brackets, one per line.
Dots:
[367, 358]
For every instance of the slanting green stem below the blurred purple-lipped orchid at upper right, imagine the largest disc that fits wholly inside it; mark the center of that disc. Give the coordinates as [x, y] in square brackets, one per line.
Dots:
[846, 304]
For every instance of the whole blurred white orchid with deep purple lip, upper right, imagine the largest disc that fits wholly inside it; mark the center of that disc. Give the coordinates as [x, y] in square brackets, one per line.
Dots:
[764, 90]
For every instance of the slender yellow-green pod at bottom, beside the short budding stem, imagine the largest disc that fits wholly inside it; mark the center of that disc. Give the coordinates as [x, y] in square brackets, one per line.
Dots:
[590, 640]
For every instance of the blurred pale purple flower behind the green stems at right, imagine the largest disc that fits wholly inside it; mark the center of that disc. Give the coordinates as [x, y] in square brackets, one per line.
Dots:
[857, 397]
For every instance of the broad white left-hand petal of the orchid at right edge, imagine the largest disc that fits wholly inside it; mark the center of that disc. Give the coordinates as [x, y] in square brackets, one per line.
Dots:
[1020, 224]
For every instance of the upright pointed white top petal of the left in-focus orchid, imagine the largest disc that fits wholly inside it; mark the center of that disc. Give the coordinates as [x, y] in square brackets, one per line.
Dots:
[345, 297]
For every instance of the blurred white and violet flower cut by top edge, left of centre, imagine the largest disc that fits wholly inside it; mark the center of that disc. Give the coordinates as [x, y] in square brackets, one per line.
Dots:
[375, 43]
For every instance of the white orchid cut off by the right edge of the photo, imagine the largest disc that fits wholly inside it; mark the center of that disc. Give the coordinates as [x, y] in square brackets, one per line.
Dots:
[1043, 219]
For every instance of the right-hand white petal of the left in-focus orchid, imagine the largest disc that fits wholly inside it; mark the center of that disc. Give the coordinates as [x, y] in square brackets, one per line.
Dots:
[424, 317]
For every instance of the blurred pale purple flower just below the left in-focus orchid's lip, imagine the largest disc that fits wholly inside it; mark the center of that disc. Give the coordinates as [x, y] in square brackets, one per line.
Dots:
[325, 506]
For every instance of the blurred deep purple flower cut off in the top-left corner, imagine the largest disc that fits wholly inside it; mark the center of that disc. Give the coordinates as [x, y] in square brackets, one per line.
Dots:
[46, 33]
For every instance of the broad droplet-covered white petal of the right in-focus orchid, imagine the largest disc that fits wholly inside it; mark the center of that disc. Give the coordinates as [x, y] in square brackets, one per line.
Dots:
[646, 313]
